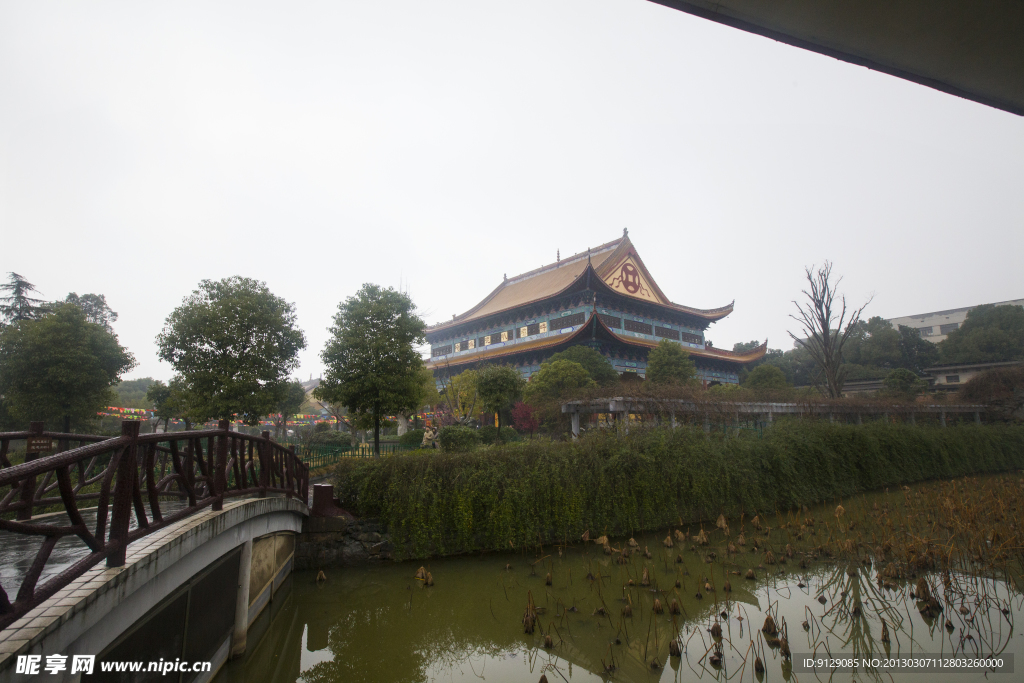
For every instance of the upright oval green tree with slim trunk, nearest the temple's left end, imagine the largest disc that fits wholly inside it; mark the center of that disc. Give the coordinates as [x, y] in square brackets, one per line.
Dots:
[372, 366]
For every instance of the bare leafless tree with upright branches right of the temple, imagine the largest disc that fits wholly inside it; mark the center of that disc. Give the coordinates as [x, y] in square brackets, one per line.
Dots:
[825, 335]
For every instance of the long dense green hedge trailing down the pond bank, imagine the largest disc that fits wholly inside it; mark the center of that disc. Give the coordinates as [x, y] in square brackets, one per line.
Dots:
[543, 492]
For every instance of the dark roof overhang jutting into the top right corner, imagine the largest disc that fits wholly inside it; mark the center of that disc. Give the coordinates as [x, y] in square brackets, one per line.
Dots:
[969, 49]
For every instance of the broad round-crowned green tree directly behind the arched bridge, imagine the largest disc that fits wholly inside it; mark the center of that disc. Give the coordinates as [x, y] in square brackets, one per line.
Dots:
[233, 343]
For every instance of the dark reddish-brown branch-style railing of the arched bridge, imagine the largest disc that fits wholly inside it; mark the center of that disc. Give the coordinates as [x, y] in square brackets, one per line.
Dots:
[151, 466]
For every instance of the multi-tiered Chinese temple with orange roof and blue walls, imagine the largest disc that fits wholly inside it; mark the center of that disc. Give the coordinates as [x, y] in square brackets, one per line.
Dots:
[604, 298]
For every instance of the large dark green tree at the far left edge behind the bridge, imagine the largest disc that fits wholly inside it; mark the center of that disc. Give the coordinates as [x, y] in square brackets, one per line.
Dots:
[60, 368]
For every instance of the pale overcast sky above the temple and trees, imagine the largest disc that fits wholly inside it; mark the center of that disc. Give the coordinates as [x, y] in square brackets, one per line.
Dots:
[146, 147]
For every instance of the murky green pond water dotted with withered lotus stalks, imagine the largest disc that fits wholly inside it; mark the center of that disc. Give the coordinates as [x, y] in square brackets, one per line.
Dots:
[383, 624]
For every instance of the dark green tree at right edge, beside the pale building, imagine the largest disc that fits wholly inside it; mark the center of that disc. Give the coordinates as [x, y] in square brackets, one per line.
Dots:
[990, 334]
